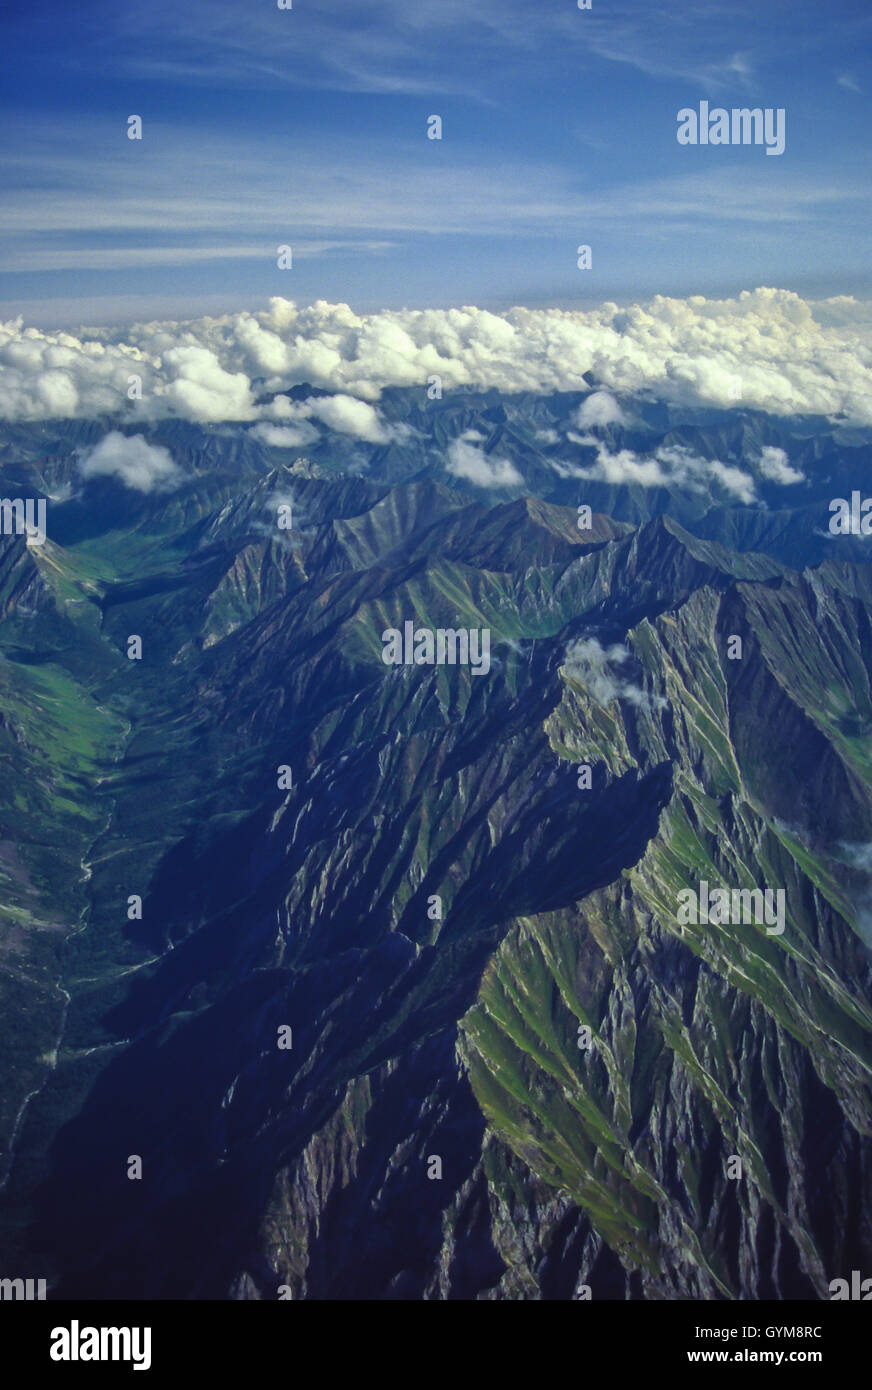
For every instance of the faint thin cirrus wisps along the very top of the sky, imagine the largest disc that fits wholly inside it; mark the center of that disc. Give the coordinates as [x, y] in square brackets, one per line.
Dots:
[430, 47]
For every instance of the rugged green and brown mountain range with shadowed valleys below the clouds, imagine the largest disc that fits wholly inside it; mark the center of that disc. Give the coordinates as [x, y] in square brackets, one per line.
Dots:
[515, 1067]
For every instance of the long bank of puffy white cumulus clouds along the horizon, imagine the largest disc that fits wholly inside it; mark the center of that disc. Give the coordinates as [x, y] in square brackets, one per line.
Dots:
[791, 358]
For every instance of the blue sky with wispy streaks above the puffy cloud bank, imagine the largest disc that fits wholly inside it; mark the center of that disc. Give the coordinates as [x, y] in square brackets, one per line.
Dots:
[309, 127]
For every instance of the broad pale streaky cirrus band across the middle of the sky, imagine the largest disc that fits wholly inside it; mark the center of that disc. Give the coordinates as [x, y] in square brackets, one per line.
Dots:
[73, 190]
